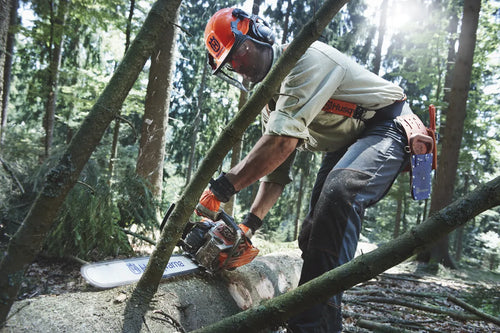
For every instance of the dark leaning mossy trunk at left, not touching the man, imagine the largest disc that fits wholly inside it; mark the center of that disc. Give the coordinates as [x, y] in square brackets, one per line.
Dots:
[28, 240]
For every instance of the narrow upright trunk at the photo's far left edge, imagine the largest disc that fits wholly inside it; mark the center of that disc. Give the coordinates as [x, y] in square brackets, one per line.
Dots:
[6, 51]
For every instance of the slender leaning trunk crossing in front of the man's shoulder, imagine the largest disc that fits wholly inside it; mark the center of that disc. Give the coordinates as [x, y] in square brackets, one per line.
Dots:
[174, 226]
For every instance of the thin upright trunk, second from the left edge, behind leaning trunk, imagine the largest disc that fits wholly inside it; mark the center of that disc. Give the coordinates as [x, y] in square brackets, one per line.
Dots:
[55, 53]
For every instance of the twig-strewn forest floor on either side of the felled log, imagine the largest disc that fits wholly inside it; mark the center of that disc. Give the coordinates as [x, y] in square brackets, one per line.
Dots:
[404, 298]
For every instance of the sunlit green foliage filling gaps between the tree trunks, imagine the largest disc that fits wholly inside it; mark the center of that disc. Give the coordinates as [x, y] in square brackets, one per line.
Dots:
[414, 56]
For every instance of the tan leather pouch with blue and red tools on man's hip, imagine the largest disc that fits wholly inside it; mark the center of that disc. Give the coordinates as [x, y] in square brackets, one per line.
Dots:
[423, 153]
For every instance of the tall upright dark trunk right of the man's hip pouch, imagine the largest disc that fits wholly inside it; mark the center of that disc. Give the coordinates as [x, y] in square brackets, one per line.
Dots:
[453, 131]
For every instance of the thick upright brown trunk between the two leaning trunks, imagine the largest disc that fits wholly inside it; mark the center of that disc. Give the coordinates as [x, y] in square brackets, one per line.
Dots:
[155, 120]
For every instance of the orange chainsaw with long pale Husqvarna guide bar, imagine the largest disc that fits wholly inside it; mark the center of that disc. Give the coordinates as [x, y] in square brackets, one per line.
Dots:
[208, 246]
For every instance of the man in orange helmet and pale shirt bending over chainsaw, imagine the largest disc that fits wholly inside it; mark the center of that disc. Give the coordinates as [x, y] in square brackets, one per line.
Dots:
[326, 103]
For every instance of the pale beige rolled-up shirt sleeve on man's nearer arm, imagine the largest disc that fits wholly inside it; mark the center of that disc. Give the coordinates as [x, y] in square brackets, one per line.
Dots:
[303, 94]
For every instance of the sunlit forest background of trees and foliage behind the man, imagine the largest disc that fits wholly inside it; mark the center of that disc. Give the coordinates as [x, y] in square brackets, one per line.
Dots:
[60, 55]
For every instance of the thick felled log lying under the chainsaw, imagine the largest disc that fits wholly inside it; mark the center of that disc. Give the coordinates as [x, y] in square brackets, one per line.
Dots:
[181, 304]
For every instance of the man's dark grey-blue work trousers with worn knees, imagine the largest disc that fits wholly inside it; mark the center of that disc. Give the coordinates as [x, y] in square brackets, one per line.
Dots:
[348, 181]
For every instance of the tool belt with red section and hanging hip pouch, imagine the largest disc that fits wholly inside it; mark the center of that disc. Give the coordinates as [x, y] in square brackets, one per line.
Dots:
[421, 140]
